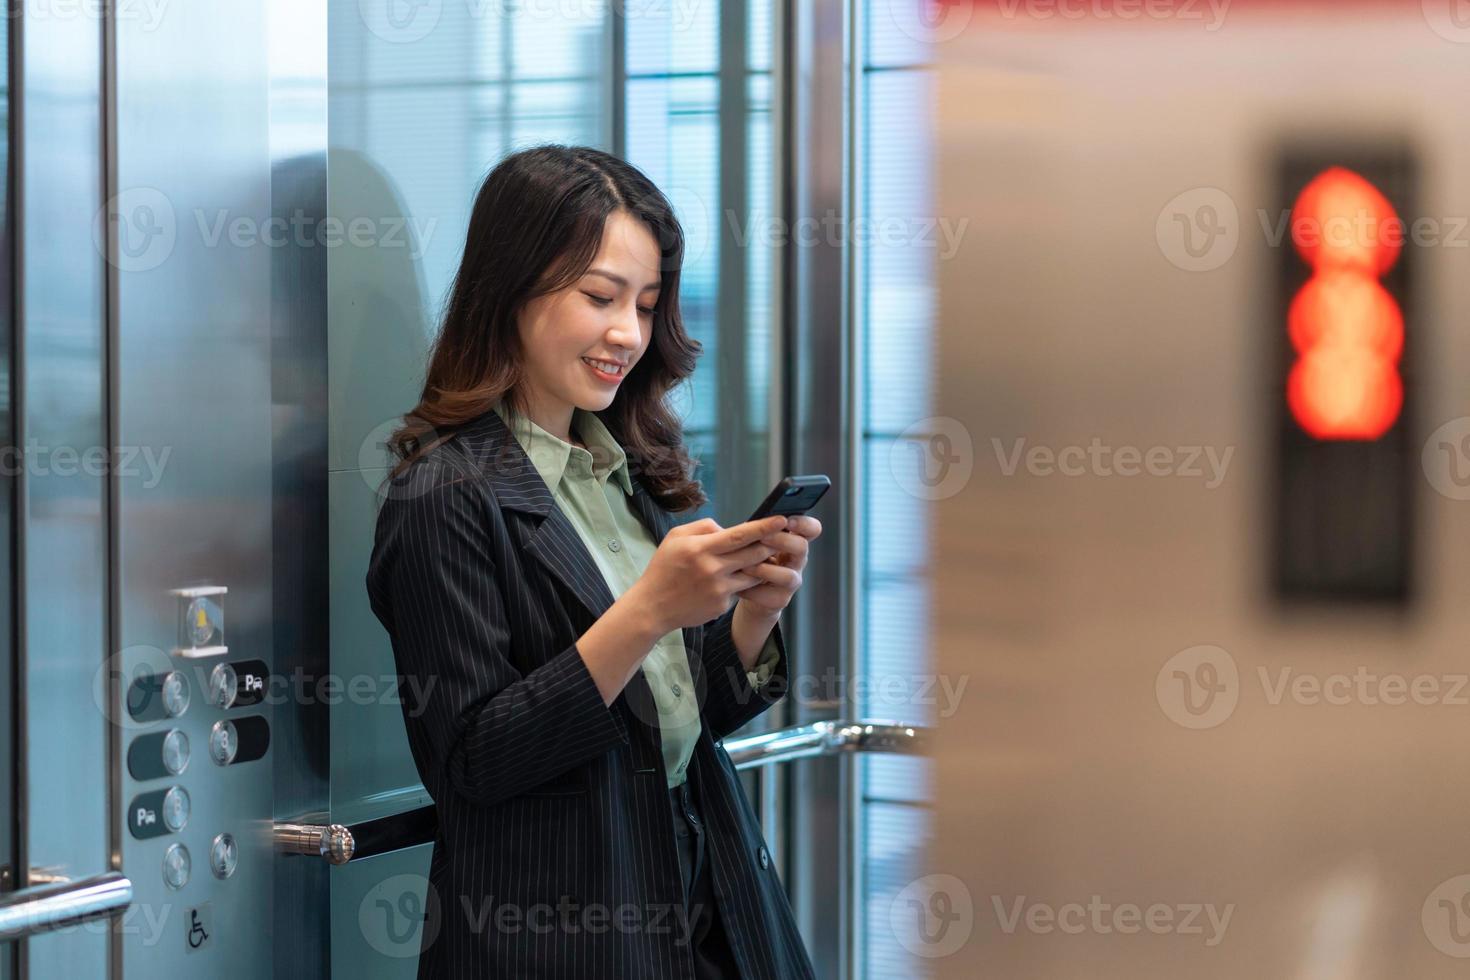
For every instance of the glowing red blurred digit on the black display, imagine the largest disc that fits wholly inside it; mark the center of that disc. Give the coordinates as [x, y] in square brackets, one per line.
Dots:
[1344, 325]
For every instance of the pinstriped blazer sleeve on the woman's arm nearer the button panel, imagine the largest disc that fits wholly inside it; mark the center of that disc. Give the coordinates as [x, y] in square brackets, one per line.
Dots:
[490, 731]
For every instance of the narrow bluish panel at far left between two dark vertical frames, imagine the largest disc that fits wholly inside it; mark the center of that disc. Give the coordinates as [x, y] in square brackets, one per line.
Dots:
[61, 521]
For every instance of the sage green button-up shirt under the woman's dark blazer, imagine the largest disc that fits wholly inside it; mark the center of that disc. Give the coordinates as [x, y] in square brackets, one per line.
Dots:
[593, 489]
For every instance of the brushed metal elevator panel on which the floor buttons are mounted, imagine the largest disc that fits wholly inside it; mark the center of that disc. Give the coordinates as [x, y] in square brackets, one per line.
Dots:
[193, 262]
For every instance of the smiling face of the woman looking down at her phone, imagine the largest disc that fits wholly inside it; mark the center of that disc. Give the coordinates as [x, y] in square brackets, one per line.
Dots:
[605, 317]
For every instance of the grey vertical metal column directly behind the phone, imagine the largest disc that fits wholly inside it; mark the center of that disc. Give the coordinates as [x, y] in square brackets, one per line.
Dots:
[820, 419]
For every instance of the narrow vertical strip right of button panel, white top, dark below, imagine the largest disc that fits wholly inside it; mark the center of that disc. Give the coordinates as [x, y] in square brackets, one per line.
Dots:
[301, 568]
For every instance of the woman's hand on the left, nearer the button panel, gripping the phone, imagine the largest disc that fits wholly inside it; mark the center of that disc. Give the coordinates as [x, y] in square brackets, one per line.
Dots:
[699, 568]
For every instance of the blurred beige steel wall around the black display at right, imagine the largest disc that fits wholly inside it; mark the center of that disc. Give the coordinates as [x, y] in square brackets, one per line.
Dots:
[1299, 793]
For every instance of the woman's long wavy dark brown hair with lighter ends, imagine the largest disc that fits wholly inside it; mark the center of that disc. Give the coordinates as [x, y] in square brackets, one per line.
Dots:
[536, 228]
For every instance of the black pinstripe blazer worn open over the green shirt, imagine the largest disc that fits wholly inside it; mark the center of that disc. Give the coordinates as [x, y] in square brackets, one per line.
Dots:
[555, 854]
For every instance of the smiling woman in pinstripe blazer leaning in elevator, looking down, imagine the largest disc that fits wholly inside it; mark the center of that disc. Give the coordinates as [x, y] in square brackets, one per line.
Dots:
[578, 656]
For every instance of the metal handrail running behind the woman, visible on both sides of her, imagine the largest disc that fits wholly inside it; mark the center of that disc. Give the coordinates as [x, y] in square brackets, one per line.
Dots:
[340, 844]
